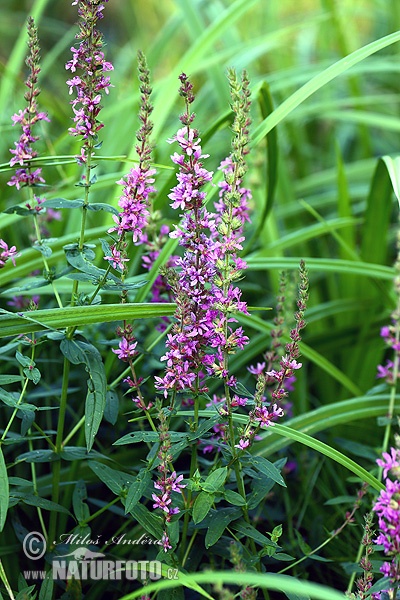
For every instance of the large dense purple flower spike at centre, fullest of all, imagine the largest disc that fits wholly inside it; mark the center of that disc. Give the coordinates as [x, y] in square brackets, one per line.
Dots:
[190, 285]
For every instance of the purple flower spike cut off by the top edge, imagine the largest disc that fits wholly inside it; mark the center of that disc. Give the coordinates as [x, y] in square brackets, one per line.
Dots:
[89, 60]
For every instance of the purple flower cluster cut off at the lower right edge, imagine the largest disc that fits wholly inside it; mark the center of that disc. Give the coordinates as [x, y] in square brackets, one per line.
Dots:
[387, 507]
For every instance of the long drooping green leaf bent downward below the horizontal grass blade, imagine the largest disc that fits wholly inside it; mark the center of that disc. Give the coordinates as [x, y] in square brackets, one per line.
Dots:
[79, 352]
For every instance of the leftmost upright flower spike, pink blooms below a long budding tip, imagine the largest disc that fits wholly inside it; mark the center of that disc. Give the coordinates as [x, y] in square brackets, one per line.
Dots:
[27, 118]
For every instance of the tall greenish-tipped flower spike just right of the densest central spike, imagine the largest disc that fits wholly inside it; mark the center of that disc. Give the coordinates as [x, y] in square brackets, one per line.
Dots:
[232, 213]
